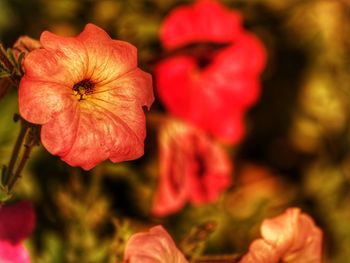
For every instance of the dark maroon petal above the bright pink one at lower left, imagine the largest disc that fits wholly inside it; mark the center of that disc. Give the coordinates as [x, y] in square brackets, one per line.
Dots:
[16, 221]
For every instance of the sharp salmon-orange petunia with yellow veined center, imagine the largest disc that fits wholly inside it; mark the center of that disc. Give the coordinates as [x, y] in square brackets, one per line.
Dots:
[87, 93]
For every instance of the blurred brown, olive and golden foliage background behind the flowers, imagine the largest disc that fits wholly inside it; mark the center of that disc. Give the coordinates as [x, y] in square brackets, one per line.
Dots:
[296, 151]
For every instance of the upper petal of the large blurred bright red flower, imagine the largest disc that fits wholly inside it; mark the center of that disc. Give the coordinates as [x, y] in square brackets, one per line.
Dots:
[204, 21]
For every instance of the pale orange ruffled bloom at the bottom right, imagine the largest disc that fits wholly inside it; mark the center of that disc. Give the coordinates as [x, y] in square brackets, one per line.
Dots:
[291, 237]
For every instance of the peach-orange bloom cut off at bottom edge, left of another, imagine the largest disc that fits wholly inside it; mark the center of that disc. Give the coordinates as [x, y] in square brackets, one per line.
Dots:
[154, 246]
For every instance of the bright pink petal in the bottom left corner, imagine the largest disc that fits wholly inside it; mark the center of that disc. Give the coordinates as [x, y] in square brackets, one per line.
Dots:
[13, 253]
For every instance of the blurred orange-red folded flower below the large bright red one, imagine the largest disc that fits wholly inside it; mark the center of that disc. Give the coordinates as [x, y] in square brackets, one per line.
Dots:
[193, 168]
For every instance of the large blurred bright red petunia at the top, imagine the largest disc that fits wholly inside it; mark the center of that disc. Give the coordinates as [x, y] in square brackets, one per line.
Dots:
[213, 75]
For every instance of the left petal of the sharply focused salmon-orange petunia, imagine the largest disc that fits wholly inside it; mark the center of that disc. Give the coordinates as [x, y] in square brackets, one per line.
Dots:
[40, 102]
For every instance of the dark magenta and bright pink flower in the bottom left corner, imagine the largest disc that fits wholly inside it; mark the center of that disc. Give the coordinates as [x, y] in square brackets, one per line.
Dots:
[16, 224]
